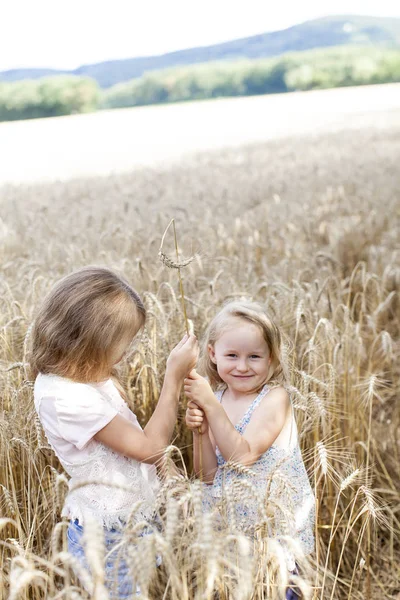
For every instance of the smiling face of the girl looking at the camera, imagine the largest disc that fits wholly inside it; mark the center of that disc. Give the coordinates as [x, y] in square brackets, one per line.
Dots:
[242, 356]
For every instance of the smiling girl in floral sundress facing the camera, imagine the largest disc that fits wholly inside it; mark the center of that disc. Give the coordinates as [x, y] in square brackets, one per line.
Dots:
[249, 421]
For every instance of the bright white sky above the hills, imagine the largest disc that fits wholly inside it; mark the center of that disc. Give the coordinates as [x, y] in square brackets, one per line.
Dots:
[69, 33]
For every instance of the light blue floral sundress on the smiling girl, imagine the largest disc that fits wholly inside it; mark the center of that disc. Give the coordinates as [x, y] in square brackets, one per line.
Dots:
[273, 493]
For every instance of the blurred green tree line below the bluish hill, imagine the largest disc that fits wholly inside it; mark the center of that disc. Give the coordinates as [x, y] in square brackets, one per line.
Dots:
[316, 69]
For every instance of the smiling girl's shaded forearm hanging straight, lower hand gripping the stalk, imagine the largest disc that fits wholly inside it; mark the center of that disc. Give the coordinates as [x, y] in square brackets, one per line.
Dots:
[195, 420]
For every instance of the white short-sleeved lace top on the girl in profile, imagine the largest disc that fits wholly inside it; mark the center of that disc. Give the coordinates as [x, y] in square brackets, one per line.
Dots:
[71, 414]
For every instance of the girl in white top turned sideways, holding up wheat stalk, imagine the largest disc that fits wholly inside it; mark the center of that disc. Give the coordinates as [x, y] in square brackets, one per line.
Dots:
[82, 330]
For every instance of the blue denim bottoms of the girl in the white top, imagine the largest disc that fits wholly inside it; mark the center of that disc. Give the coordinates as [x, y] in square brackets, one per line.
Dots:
[118, 579]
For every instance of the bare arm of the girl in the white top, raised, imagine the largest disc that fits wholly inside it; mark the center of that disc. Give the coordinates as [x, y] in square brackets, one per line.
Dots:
[148, 445]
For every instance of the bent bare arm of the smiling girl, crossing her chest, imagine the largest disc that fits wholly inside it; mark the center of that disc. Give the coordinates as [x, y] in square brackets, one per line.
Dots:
[260, 434]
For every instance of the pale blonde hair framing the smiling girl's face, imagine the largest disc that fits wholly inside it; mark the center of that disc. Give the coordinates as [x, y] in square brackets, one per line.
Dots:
[254, 313]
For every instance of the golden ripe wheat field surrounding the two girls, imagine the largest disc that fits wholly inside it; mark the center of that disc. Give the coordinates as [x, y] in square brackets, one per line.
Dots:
[308, 226]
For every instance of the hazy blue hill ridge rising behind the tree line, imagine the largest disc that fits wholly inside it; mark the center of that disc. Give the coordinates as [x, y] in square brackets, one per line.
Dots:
[319, 33]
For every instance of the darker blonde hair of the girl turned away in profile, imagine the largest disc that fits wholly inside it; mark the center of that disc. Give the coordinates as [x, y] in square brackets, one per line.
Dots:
[80, 321]
